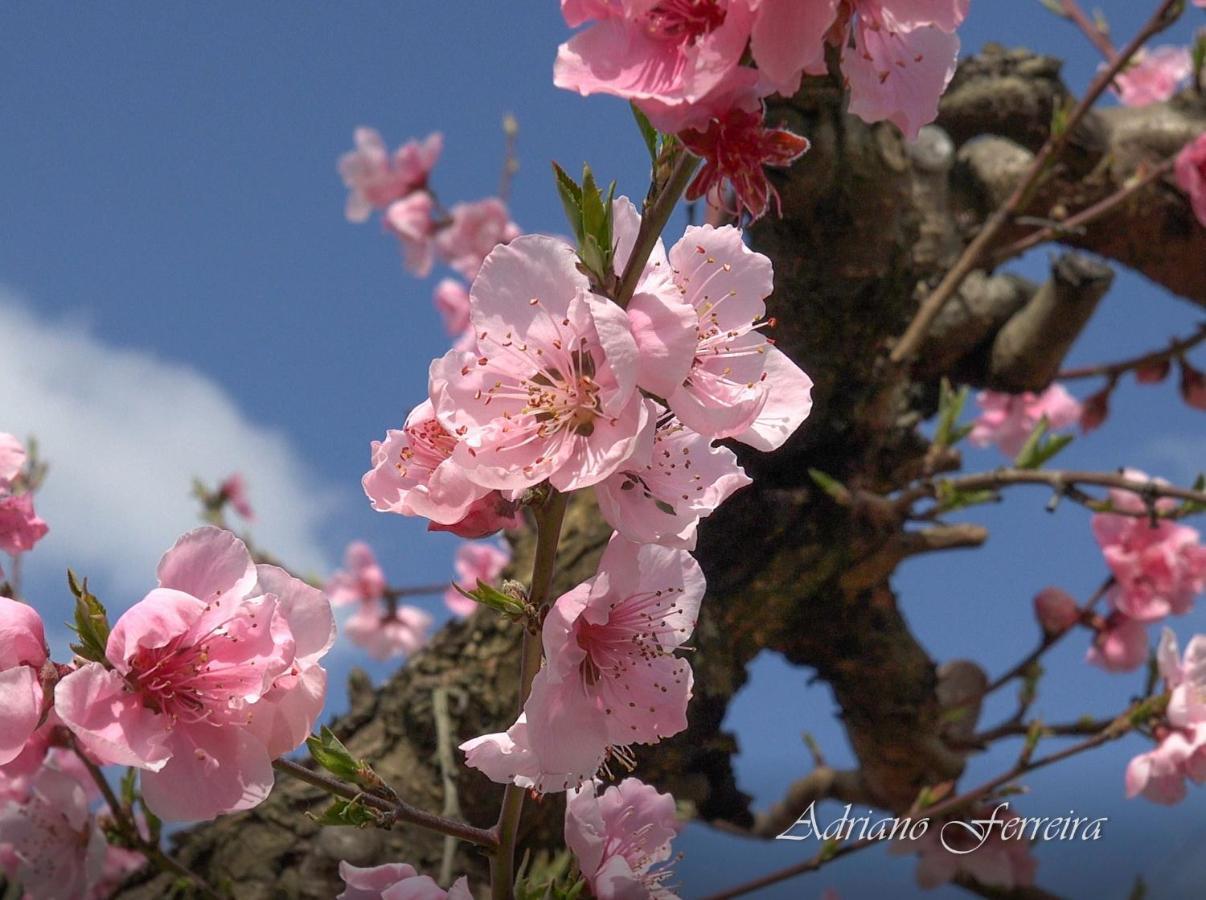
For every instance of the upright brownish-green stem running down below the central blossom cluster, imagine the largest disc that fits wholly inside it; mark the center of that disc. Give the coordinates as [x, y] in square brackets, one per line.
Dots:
[549, 521]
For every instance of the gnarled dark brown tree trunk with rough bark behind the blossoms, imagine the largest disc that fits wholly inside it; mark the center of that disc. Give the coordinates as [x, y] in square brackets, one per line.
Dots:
[870, 224]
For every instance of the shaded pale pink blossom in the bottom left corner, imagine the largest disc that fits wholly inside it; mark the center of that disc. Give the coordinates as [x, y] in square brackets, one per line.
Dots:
[57, 849]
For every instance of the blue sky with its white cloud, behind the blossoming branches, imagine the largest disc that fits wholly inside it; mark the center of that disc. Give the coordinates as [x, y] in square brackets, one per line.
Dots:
[182, 295]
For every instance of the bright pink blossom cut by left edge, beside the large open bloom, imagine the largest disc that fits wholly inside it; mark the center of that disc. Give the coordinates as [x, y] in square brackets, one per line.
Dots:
[22, 657]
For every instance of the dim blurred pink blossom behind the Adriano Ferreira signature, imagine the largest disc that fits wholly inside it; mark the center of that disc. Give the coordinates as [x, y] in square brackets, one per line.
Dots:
[1002, 860]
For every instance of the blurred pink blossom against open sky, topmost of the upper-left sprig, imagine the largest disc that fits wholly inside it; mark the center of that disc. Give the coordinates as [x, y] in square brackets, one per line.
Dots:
[376, 180]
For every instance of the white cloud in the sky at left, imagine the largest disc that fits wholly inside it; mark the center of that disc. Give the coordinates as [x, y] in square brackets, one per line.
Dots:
[126, 433]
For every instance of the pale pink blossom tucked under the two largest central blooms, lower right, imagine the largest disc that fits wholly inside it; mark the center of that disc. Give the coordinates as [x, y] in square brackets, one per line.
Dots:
[665, 501]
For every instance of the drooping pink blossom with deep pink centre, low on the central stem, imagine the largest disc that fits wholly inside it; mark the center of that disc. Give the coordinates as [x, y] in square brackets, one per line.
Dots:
[611, 679]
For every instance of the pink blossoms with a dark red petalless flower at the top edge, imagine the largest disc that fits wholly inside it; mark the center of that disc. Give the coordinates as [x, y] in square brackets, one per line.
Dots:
[684, 65]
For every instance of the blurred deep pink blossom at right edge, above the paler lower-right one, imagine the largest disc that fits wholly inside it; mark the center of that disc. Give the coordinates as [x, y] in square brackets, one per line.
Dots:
[1160, 568]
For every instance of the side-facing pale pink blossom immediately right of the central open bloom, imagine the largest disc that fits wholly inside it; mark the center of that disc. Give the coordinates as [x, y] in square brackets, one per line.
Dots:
[739, 384]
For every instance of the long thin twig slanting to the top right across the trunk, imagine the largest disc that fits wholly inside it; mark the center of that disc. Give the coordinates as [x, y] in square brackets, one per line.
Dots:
[974, 253]
